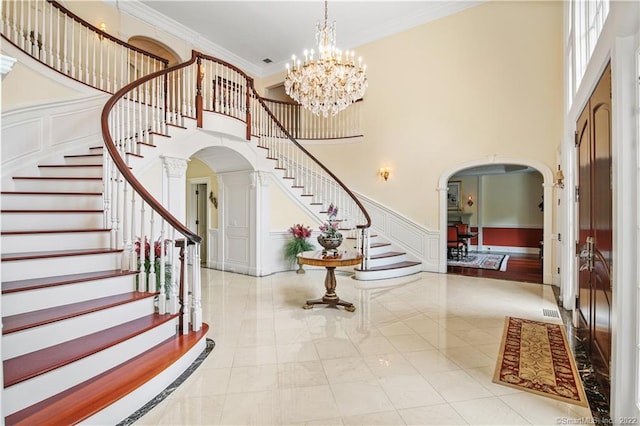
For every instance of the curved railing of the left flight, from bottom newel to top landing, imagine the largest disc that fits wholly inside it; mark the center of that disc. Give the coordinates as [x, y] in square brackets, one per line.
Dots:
[130, 118]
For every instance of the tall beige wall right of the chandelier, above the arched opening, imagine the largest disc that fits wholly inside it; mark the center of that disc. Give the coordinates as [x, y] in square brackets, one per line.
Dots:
[486, 81]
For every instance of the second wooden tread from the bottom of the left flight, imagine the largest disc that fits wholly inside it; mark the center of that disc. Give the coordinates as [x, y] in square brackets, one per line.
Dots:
[33, 364]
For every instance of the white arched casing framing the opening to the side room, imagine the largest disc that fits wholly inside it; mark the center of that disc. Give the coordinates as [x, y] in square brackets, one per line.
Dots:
[494, 161]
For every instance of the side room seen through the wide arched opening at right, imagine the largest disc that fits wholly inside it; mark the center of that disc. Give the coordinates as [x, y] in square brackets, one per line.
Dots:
[497, 213]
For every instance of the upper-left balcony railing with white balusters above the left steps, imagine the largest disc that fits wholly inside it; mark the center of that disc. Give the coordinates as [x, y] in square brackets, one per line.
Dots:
[47, 31]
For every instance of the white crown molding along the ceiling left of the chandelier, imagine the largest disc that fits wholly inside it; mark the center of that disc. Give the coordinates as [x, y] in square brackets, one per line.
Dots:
[142, 12]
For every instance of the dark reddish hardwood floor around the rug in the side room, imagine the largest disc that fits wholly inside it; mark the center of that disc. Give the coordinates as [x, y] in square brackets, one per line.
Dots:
[520, 267]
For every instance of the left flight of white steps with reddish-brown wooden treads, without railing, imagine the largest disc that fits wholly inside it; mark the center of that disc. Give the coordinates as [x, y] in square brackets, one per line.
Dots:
[76, 337]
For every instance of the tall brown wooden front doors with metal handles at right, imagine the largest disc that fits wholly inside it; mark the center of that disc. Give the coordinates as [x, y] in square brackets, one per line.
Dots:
[595, 228]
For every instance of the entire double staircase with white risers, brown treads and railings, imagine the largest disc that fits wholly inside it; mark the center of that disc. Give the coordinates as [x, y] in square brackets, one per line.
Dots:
[82, 341]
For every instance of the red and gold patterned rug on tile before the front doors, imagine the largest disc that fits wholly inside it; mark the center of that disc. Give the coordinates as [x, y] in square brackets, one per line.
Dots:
[534, 357]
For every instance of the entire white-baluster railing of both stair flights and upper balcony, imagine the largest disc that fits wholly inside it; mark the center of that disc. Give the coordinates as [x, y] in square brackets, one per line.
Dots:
[148, 98]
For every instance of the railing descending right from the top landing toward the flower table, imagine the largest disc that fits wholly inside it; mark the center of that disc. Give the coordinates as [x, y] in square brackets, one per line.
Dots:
[225, 89]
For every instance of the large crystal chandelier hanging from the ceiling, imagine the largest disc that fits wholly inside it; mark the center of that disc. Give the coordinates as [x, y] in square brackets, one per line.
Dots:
[330, 82]
